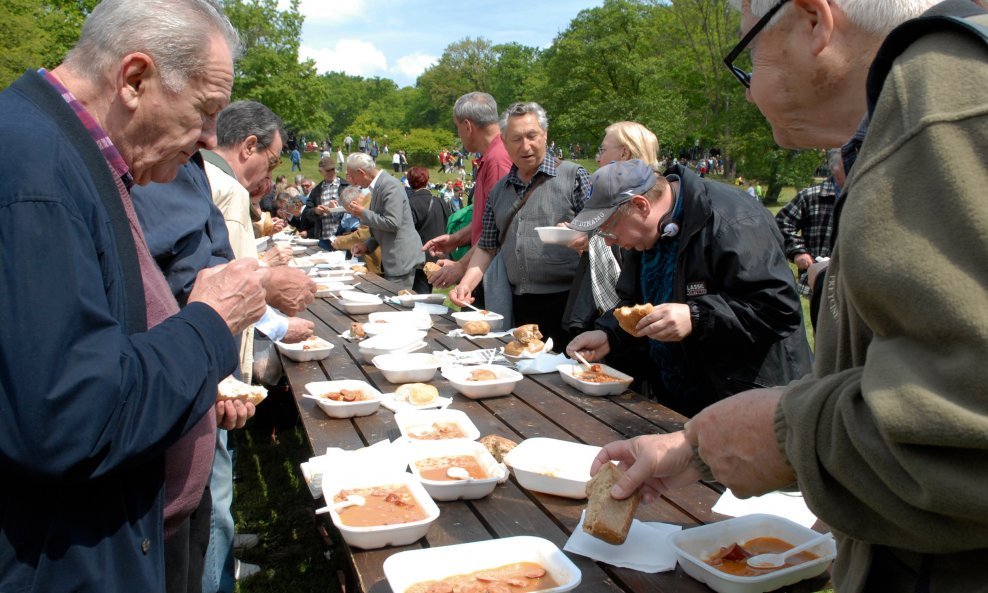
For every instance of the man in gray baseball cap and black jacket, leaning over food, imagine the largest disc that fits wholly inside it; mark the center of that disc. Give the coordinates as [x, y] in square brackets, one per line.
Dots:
[726, 315]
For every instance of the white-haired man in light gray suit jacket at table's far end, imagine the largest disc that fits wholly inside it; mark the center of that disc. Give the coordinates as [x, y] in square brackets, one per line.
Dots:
[389, 218]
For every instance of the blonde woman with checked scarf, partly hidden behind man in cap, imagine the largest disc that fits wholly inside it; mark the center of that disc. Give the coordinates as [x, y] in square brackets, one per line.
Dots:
[600, 266]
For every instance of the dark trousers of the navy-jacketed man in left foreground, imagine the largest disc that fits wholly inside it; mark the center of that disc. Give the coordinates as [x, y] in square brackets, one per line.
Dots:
[186, 549]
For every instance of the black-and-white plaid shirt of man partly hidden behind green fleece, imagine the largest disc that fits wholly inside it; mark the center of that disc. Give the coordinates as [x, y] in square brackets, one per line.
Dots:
[807, 223]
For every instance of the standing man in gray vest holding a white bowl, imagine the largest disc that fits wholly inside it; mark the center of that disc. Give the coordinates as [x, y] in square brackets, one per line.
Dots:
[537, 191]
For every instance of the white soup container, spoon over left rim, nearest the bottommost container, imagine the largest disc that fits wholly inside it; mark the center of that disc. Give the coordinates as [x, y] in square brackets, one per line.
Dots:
[369, 538]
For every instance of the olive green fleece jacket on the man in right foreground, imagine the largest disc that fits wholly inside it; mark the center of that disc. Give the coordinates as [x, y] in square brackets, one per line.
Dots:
[889, 438]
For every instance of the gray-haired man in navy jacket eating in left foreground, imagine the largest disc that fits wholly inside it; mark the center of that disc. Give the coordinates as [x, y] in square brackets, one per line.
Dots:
[113, 402]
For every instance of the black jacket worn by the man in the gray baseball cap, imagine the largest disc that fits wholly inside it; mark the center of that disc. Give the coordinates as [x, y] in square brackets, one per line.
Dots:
[748, 329]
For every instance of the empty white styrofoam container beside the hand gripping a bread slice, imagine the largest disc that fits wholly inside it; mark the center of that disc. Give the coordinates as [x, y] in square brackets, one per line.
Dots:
[552, 466]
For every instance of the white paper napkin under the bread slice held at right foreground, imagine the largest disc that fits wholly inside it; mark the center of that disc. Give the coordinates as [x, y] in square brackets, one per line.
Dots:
[646, 550]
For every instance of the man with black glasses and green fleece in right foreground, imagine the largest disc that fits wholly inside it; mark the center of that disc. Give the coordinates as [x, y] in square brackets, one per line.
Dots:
[888, 439]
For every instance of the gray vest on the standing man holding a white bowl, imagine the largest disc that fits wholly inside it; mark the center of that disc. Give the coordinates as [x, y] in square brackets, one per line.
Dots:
[533, 266]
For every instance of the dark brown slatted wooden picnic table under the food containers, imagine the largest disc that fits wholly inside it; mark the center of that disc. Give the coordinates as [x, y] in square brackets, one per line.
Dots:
[540, 406]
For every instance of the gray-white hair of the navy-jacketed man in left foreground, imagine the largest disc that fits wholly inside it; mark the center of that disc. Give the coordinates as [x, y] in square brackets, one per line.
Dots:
[174, 33]
